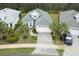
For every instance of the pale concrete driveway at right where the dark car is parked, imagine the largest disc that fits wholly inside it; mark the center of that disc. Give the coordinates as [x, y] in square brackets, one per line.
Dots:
[74, 49]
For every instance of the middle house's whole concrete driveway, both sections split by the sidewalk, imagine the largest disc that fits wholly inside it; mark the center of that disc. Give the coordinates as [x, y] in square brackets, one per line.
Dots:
[44, 38]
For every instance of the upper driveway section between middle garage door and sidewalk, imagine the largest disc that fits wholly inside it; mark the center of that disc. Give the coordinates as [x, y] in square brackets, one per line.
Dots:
[44, 38]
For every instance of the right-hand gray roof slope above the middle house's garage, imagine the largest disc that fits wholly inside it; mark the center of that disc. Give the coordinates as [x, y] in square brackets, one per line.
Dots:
[44, 19]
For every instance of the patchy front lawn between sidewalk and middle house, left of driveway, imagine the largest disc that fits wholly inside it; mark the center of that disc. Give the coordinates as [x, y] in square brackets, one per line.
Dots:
[29, 39]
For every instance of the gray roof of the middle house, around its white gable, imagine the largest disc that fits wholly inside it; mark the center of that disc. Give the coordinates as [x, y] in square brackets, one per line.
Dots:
[43, 19]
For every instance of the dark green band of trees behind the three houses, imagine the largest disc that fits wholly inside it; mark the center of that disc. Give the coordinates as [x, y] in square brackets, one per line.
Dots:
[25, 7]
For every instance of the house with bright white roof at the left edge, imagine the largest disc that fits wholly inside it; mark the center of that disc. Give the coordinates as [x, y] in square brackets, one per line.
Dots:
[9, 16]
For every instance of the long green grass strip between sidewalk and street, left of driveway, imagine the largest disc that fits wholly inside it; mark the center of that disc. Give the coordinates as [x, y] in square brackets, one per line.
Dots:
[16, 51]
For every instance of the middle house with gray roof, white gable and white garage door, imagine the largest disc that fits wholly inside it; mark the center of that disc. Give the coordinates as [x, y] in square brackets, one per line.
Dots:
[39, 19]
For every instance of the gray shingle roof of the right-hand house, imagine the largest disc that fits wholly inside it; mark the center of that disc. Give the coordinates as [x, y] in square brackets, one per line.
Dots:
[68, 18]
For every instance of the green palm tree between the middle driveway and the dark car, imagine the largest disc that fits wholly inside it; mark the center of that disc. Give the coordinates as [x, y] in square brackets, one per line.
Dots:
[57, 29]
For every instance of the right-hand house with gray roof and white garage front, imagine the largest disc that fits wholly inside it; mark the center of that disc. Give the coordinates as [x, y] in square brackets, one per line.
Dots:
[71, 18]
